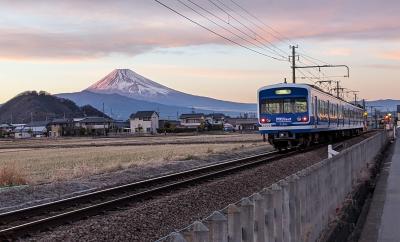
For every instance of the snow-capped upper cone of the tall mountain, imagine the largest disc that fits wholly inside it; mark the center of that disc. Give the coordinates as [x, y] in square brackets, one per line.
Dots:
[128, 82]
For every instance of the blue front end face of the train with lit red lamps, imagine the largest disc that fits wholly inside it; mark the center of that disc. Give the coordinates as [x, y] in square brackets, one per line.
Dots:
[284, 114]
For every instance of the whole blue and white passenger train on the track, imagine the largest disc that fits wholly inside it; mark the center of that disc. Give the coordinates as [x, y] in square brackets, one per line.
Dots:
[293, 115]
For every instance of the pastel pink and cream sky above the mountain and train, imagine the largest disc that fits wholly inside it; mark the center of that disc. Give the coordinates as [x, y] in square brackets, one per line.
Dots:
[65, 46]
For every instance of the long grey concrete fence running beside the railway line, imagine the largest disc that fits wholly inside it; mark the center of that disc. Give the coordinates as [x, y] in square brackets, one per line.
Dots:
[297, 208]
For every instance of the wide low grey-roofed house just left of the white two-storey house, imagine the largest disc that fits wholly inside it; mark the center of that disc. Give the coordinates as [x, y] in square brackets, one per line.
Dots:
[93, 125]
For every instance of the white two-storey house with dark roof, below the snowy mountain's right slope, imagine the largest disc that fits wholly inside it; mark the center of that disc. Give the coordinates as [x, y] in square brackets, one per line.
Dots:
[144, 122]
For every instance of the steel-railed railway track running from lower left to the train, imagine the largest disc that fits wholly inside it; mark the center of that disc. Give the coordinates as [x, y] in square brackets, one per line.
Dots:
[22, 222]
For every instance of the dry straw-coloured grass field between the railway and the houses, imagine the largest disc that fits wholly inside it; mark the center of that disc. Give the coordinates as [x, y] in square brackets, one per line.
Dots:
[35, 166]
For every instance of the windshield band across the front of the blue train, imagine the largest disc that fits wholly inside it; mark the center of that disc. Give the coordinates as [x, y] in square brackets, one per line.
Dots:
[287, 105]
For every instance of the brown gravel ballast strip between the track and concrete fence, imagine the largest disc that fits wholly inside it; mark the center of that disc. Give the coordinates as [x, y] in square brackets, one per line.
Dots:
[150, 220]
